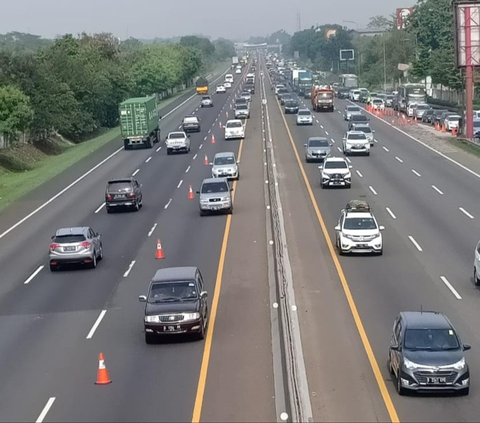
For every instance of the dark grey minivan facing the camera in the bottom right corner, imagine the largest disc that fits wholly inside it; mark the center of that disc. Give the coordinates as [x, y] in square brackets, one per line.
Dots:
[427, 355]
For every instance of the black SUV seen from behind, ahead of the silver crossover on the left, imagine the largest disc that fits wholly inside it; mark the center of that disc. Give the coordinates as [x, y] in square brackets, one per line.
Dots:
[121, 193]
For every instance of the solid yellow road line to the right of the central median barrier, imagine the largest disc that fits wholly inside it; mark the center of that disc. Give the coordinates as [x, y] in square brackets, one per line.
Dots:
[351, 302]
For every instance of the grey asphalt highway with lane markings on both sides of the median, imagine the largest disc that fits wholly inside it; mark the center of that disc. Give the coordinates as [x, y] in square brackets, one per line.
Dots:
[54, 325]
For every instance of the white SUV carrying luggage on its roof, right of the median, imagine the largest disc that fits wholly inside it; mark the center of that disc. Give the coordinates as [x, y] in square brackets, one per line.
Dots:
[357, 230]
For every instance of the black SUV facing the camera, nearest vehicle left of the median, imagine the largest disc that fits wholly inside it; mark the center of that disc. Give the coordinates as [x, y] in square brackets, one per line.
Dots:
[176, 304]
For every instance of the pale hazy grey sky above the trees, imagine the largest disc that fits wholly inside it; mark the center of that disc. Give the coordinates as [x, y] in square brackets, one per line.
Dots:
[147, 19]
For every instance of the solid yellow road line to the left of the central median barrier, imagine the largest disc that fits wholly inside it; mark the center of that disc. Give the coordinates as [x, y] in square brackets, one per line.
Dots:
[202, 380]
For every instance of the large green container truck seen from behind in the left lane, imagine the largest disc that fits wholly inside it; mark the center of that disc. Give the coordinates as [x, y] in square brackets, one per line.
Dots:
[139, 122]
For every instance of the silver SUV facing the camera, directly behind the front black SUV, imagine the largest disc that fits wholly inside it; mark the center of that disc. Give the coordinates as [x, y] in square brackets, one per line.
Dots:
[215, 196]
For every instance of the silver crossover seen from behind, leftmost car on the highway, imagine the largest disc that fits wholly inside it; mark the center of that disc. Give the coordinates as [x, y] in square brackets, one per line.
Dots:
[80, 245]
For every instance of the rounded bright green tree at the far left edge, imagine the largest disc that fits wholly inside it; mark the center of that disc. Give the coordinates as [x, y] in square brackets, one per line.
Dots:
[15, 111]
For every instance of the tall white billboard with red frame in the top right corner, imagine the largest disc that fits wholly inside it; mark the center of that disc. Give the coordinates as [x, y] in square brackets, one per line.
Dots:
[467, 33]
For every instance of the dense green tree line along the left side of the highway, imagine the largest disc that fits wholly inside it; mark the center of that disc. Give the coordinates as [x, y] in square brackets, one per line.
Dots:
[73, 85]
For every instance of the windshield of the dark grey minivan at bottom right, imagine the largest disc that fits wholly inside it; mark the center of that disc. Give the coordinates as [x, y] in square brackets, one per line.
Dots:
[431, 339]
